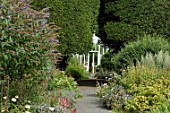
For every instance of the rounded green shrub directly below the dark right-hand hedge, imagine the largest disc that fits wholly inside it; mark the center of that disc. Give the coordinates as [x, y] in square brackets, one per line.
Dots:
[134, 50]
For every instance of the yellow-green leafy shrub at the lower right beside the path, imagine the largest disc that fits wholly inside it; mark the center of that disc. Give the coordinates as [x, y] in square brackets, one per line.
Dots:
[148, 85]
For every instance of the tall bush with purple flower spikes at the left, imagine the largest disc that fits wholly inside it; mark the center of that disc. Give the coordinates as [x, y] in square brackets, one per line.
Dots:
[24, 40]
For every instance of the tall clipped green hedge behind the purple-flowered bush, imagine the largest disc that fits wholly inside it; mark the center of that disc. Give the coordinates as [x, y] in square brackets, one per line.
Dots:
[77, 19]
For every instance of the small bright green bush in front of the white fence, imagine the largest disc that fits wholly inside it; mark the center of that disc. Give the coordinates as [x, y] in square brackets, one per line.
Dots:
[76, 70]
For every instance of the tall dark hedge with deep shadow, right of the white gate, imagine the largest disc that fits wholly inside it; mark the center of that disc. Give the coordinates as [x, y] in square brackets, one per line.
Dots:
[123, 20]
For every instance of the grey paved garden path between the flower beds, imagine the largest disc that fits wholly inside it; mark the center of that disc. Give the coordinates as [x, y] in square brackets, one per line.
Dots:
[90, 103]
